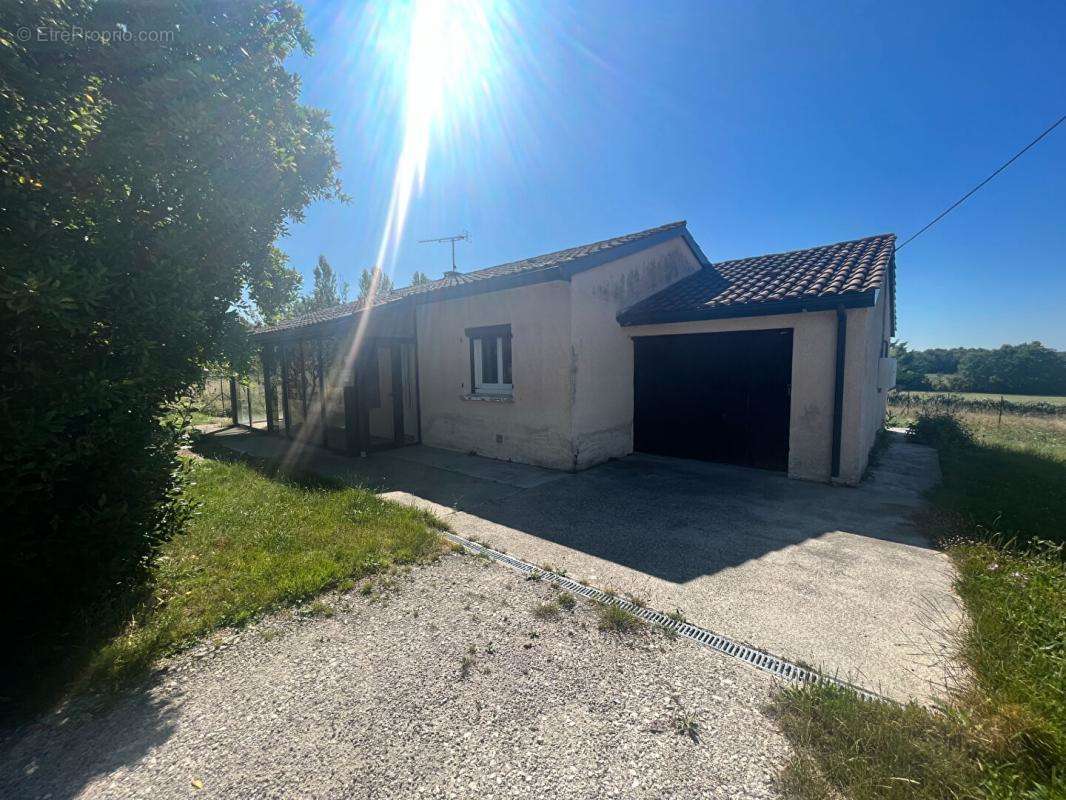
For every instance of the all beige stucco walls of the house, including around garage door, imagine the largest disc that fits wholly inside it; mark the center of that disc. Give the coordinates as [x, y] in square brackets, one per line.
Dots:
[573, 366]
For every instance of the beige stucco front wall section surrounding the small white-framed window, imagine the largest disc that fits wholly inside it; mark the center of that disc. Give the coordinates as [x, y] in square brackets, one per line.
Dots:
[535, 427]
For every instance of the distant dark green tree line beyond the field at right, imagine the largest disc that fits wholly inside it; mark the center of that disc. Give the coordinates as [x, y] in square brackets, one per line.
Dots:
[1030, 369]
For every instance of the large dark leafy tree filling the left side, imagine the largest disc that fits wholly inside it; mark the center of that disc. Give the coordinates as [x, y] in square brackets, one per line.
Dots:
[143, 184]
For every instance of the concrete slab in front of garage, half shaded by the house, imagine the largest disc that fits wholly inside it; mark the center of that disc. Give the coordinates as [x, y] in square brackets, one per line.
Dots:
[837, 578]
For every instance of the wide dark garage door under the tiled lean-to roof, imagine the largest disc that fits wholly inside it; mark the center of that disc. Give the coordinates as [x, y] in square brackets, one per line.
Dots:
[717, 397]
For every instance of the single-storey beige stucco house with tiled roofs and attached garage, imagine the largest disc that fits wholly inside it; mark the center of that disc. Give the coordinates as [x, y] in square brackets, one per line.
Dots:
[636, 343]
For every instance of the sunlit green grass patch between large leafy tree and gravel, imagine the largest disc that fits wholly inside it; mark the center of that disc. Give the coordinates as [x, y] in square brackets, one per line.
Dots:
[259, 541]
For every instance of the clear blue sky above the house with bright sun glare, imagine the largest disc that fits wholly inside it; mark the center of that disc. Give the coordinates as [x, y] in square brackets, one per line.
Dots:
[768, 126]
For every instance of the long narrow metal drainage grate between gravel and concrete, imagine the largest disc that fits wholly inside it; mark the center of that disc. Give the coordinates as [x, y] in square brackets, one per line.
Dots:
[751, 657]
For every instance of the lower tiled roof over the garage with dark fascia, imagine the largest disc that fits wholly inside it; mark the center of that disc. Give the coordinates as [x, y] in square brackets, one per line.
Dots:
[844, 271]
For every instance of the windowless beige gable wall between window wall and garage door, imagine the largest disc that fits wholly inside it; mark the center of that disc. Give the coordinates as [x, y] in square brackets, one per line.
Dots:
[602, 353]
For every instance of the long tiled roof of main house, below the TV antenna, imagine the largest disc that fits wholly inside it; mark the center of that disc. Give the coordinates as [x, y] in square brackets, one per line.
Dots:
[547, 262]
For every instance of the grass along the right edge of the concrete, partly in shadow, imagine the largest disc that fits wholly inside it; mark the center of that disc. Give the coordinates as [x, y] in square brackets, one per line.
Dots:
[1002, 732]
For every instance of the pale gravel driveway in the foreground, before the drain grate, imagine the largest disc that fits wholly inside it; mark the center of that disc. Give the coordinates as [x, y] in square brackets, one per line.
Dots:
[376, 702]
